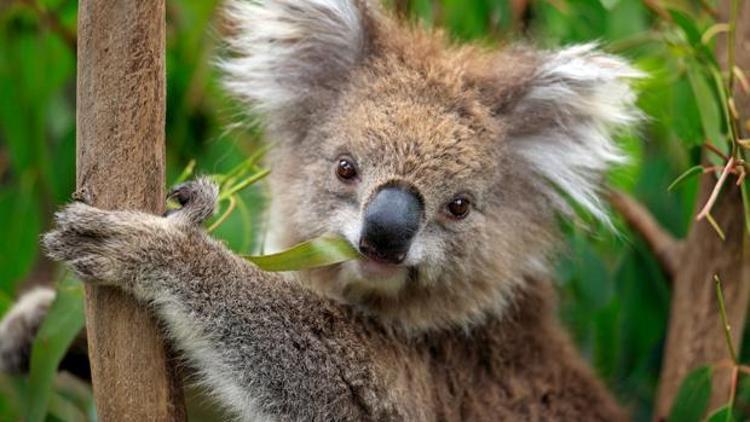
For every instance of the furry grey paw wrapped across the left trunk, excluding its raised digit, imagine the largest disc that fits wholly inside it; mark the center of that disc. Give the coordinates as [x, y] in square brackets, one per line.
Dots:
[110, 247]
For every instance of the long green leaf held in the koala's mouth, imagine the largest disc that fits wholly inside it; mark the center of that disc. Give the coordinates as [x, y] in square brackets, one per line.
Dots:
[319, 252]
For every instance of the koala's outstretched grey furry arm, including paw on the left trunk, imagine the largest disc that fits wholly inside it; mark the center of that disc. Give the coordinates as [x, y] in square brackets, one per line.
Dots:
[266, 346]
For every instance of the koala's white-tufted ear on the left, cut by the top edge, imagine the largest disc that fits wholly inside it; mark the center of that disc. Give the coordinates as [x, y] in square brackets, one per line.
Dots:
[288, 56]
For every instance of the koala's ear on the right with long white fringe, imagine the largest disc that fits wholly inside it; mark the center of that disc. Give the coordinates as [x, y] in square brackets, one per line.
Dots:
[564, 119]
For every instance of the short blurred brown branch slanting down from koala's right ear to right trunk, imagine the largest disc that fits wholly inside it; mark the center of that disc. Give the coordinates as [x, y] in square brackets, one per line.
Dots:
[666, 249]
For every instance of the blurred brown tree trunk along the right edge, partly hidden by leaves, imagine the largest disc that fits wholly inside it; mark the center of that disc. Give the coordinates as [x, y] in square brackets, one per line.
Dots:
[695, 335]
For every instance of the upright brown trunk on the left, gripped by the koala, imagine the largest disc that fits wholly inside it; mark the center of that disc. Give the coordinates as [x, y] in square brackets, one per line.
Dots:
[120, 152]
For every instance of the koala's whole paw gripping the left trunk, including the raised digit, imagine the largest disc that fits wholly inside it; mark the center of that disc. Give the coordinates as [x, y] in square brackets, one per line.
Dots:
[121, 247]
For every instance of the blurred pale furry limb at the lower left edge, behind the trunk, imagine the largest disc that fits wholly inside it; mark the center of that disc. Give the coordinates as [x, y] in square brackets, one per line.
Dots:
[19, 327]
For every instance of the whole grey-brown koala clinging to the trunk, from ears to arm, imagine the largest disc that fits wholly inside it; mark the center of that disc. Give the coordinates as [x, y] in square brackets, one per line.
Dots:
[444, 165]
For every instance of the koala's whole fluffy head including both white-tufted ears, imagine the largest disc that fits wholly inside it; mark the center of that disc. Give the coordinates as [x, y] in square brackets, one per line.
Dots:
[444, 165]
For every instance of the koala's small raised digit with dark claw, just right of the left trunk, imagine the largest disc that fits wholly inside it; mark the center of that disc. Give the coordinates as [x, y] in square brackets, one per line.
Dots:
[197, 198]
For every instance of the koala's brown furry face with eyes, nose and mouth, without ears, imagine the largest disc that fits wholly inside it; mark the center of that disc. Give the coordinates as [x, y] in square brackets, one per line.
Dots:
[409, 176]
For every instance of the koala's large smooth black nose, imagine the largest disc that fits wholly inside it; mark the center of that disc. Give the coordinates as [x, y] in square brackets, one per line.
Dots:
[391, 221]
